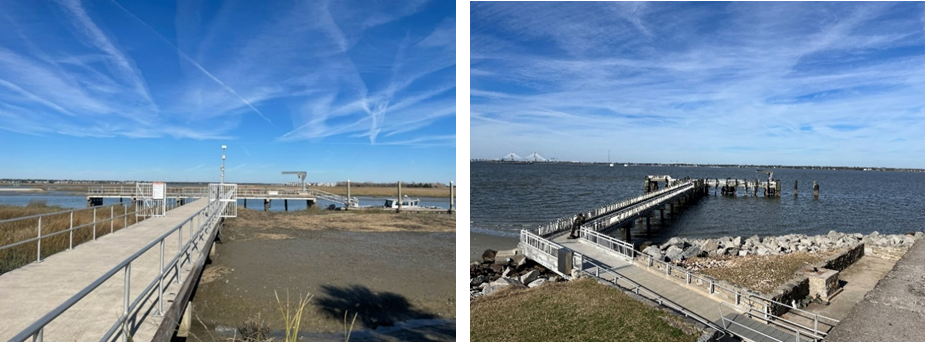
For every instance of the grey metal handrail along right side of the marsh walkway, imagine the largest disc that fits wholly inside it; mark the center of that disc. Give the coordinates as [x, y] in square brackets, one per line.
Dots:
[210, 212]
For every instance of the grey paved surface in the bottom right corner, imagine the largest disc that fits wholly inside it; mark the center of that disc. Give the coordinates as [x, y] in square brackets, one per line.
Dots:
[895, 309]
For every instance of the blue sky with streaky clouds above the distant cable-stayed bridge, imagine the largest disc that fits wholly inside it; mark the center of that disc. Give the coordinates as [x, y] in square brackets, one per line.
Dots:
[757, 83]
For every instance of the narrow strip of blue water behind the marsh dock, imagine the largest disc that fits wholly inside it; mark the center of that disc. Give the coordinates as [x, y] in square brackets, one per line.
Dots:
[63, 199]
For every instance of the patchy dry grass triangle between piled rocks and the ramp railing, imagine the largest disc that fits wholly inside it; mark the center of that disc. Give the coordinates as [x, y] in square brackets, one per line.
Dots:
[761, 273]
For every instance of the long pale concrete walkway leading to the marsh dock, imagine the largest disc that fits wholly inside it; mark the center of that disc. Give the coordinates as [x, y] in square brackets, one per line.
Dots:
[28, 293]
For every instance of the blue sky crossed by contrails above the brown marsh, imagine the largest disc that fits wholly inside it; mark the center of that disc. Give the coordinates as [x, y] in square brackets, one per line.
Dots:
[151, 90]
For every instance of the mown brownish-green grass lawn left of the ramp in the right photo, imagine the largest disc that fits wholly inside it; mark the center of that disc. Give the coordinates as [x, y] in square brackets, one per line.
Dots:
[582, 310]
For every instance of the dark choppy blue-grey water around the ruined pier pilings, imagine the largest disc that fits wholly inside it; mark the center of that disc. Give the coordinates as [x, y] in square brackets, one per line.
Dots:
[510, 197]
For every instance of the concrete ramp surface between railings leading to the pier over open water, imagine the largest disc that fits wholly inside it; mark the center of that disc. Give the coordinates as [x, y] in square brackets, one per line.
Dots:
[689, 299]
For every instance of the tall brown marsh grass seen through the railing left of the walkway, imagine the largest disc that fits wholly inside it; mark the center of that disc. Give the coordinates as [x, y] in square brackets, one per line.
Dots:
[21, 230]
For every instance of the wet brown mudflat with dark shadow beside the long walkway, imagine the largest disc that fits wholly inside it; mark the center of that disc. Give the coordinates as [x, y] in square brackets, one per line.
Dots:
[388, 268]
